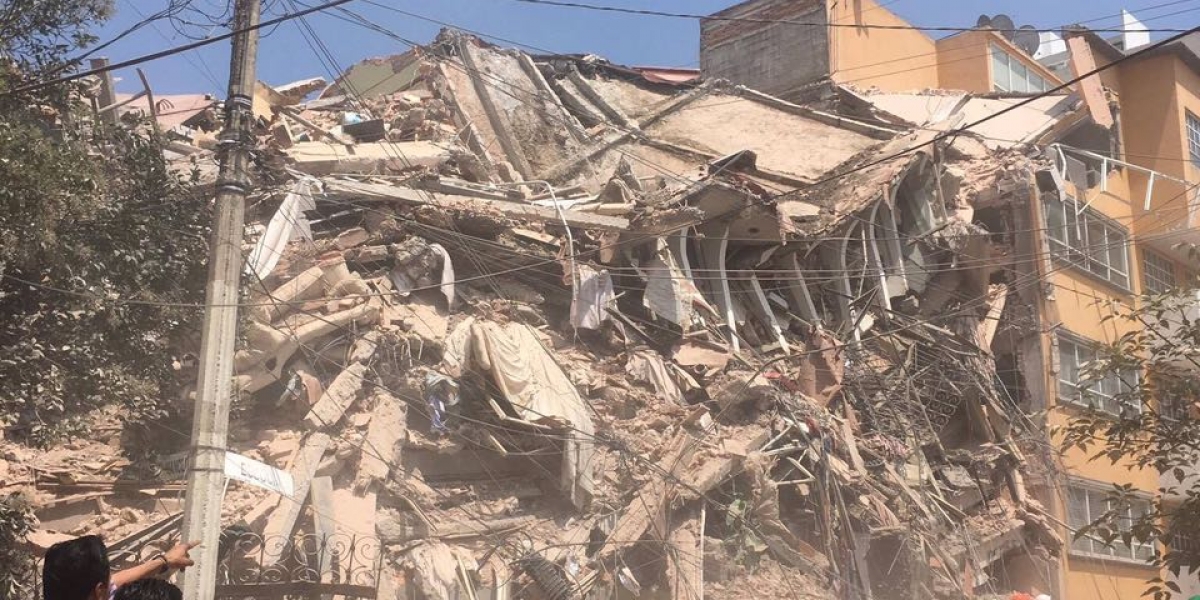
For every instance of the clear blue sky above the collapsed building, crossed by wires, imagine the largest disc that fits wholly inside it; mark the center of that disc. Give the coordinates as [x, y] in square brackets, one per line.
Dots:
[285, 55]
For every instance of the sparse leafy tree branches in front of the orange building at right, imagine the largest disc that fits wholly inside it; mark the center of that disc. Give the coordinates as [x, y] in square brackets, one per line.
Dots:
[1163, 435]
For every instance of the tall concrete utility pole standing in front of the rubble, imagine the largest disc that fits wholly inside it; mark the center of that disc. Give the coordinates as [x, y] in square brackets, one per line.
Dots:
[211, 425]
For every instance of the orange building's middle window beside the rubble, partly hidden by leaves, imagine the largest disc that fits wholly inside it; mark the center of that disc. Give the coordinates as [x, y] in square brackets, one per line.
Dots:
[1076, 388]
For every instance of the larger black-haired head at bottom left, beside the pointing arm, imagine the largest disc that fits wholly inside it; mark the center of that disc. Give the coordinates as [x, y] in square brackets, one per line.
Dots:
[75, 568]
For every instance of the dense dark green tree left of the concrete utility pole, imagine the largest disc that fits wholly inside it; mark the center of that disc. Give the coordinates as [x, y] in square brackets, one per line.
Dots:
[99, 243]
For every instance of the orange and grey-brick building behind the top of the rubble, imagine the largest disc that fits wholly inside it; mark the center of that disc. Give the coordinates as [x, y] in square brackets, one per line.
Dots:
[843, 46]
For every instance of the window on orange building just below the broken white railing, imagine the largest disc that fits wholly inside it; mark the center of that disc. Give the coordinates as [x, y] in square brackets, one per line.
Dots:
[1088, 241]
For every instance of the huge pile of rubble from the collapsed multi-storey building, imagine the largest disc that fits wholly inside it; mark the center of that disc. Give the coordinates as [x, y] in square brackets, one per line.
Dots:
[551, 327]
